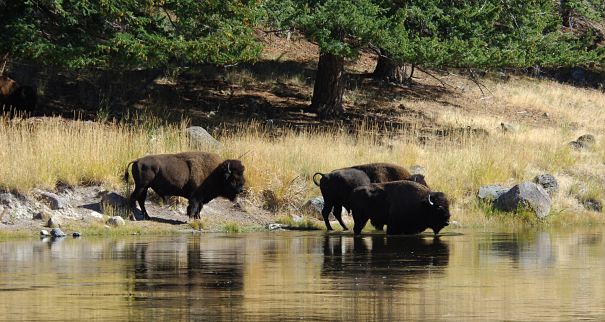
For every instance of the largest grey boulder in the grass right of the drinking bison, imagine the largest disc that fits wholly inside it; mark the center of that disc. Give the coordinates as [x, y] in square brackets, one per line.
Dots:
[526, 194]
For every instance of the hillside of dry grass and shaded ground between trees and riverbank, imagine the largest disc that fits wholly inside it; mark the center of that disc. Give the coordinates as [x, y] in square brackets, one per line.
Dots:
[499, 129]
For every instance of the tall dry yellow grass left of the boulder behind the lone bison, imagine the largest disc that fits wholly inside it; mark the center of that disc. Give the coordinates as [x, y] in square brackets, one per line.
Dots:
[41, 153]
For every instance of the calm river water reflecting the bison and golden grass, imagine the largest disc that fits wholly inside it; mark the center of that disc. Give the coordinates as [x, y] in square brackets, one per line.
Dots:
[467, 275]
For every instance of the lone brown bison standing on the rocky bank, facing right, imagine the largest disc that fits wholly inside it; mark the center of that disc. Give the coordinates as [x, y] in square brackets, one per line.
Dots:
[197, 176]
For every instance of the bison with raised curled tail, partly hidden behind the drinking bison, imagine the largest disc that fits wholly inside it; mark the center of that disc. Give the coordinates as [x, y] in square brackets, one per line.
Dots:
[337, 185]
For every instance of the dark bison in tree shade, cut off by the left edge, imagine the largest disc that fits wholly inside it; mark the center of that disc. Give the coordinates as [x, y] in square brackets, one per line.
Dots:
[16, 97]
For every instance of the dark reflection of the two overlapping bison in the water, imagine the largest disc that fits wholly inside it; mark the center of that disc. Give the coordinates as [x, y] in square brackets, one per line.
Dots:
[381, 261]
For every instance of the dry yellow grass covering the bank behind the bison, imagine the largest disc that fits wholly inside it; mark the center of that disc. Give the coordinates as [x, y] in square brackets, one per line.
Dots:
[43, 152]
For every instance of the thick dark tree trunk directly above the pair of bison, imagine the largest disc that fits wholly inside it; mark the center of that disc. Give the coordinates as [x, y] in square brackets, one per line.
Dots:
[328, 89]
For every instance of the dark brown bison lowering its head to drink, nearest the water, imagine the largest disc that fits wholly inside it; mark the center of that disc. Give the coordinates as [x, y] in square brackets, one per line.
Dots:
[406, 207]
